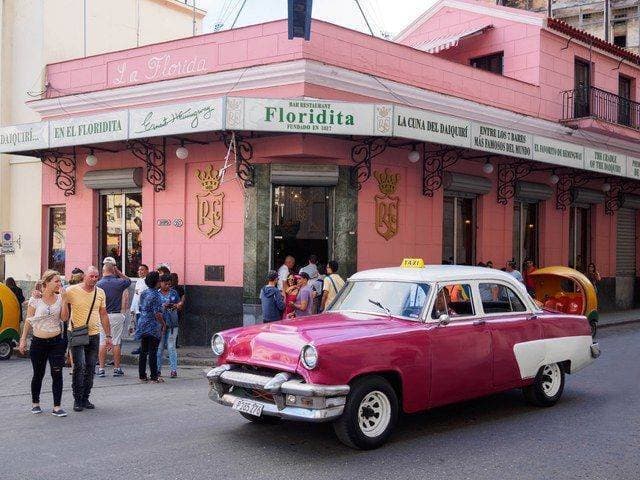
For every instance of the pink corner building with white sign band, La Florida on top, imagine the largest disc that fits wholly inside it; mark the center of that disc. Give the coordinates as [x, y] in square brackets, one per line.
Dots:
[482, 133]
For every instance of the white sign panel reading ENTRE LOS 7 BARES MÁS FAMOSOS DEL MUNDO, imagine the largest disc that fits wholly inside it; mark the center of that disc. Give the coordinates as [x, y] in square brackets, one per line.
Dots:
[501, 140]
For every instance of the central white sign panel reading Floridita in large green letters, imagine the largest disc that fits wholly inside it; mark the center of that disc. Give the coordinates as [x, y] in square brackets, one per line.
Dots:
[309, 116]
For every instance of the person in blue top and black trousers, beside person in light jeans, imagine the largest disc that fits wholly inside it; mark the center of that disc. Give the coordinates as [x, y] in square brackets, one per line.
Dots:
[150, 328]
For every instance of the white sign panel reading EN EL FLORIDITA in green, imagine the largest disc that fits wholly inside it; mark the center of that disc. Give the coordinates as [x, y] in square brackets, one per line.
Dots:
[107, 127]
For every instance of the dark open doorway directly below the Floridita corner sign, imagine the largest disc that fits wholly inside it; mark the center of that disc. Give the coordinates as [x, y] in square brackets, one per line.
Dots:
[301, 225]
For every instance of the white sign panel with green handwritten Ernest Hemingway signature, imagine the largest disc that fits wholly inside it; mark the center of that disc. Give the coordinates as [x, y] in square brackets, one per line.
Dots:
[182, 118]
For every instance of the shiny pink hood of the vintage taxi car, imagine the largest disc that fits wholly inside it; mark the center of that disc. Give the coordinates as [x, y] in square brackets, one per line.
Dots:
[278, 344]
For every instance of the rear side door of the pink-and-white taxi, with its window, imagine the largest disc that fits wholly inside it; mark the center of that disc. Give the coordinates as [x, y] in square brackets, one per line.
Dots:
[509, 321]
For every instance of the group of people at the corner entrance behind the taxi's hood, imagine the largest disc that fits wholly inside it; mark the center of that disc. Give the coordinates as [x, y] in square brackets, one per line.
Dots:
[291, 294]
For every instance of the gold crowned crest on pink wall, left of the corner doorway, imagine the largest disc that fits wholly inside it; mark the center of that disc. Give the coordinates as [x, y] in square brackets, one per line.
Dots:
[210, 204]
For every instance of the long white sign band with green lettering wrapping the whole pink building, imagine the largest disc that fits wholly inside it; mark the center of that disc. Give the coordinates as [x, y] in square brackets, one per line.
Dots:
[316, 116]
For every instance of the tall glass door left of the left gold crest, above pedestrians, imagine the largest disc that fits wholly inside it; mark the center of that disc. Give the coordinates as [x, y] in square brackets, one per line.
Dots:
[121, 230]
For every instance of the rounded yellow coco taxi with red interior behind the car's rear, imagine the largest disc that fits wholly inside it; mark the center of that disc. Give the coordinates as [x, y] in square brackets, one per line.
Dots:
[565, 290]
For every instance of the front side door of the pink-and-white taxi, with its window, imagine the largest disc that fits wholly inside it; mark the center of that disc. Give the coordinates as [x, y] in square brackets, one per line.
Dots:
[460, 357]
